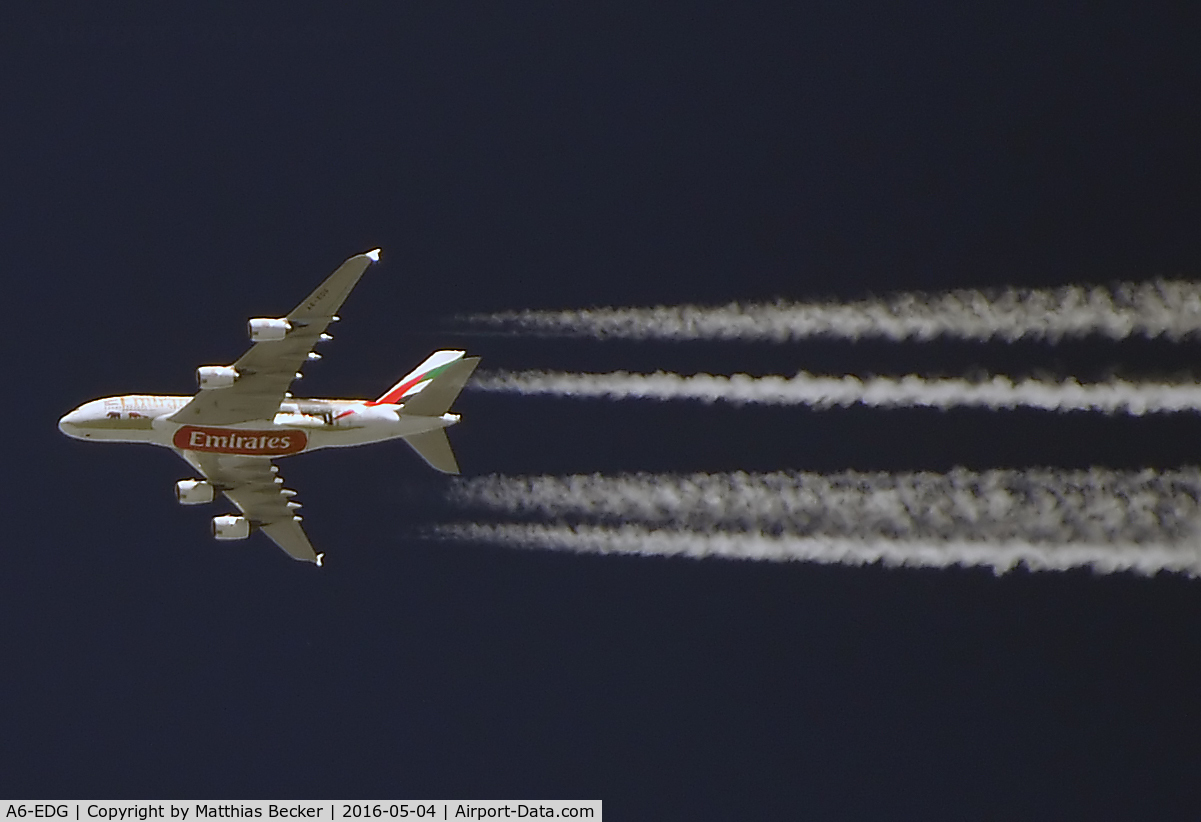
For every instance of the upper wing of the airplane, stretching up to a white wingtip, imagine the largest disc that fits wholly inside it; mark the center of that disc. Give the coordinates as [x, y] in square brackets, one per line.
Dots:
[266, 372]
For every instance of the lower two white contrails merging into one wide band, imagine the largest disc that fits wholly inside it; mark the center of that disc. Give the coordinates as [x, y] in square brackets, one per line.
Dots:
[1048, 520]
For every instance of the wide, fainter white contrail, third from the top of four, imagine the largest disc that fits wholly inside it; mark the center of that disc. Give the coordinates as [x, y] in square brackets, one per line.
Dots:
[1035, 507]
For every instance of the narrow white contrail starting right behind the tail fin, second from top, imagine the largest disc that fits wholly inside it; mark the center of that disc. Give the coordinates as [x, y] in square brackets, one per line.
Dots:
[824, 392]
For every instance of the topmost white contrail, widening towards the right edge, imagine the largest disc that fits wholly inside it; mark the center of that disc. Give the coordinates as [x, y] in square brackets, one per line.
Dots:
[1160, 308]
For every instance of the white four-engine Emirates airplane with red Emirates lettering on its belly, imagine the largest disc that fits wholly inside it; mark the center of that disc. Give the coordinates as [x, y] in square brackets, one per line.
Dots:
[243, 416]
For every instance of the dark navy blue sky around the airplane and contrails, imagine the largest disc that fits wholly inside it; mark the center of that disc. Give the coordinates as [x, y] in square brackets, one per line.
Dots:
[168, 176]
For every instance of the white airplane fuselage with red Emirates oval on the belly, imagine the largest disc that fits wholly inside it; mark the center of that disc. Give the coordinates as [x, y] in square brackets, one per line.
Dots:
[300, 426]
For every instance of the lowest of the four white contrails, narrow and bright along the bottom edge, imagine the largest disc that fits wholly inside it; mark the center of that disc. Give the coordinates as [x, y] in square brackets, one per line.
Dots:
[1001, 557]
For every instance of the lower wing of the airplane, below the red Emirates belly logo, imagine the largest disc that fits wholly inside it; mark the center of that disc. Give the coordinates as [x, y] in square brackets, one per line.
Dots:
[249, 483]
